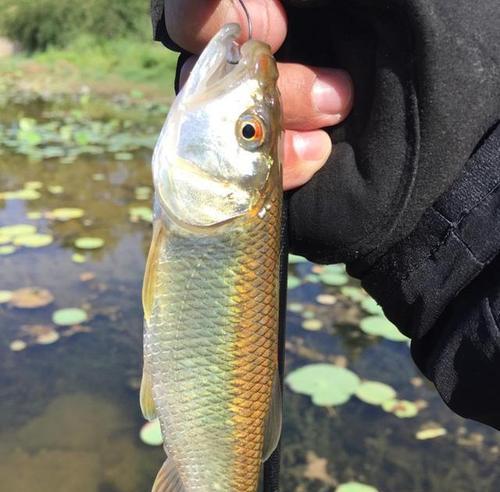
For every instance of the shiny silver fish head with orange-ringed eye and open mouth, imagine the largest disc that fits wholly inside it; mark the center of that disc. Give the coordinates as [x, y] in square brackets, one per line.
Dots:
[219, 148]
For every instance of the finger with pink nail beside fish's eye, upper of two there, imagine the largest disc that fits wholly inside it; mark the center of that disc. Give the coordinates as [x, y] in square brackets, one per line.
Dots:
[313, 97]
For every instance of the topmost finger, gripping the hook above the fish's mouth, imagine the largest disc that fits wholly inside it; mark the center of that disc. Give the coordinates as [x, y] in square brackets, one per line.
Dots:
[192, 23]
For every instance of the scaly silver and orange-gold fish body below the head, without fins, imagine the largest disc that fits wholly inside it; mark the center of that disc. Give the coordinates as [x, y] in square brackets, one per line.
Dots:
[211, 346]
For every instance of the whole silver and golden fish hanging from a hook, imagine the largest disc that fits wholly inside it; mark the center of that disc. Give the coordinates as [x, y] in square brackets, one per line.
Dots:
[211, 284]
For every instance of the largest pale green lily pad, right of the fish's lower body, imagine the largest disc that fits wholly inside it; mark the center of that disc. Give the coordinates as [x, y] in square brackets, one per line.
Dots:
[326, 384]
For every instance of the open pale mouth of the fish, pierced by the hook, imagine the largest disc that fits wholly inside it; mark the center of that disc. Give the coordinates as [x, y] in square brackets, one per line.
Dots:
[224, 63]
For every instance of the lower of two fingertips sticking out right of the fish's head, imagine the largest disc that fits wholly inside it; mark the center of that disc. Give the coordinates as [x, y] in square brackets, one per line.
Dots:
[304, 154]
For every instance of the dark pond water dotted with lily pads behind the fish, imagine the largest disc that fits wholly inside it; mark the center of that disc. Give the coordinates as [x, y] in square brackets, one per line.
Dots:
[69, 414]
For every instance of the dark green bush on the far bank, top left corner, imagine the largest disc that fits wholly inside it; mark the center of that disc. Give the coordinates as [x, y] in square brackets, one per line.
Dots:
[38, 25]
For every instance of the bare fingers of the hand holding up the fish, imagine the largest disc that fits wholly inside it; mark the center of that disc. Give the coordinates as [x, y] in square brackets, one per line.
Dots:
[312, 97]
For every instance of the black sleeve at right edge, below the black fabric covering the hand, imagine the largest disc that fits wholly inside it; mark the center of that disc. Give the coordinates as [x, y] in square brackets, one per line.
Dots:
[441, 287]
